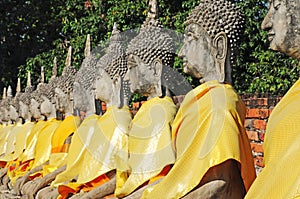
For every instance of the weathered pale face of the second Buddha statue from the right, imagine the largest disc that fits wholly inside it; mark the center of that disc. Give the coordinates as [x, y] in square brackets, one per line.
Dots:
[200, 55]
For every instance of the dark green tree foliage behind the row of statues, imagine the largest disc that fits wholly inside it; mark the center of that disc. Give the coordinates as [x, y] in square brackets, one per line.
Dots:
[33, 32]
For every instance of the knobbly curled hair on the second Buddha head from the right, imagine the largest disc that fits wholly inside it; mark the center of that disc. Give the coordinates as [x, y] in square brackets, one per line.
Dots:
[217, 16]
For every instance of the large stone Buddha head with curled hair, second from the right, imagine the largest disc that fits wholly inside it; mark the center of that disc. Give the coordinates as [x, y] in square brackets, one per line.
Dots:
[213, 31]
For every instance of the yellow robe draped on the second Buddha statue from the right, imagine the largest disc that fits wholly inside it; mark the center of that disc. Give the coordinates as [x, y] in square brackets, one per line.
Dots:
[208, 130]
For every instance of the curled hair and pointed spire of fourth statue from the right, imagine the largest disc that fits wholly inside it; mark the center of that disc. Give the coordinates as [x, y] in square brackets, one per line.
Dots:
[114, 62]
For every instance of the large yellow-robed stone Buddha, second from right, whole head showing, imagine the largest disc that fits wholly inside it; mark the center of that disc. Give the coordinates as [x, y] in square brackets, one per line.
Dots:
[213, 154]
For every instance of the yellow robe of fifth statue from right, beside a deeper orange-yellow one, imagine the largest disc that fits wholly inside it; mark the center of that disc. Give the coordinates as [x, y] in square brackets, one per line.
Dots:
[77, 150]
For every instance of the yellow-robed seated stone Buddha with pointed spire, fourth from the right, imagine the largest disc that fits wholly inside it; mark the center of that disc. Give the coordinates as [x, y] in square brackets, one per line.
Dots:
[95, 166]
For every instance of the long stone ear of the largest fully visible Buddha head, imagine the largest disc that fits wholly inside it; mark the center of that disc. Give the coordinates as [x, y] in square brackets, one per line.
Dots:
[220, 42]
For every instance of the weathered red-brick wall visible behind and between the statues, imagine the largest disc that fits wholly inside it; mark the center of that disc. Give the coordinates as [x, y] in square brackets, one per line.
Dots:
[259, 108]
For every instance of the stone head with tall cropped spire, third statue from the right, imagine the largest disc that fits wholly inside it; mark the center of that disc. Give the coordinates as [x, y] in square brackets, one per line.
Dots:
[150, 60]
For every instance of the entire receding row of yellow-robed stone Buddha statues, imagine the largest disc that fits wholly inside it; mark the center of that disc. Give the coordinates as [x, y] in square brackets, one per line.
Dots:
[197, 150]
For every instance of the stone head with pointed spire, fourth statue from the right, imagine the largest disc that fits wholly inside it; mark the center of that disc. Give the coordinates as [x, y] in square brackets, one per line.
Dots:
[112, 67]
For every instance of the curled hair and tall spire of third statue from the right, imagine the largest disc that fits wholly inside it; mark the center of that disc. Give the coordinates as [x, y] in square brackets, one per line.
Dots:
[153, 41]
